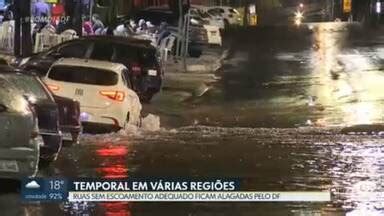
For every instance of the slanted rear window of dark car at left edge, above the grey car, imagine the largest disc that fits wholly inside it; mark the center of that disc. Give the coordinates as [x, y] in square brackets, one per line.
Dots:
[28, 85]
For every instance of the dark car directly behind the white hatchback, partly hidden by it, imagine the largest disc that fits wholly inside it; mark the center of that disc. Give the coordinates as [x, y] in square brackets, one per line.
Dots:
[139, 56]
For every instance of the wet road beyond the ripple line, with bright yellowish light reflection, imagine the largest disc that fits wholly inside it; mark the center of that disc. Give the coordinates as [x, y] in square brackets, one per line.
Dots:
[329, 75]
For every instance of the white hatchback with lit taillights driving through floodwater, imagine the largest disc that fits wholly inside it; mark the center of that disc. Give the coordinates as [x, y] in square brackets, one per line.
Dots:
[103, 89]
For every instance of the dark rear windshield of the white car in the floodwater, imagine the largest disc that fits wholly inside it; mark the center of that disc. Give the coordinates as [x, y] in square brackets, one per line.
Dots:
[83, 75]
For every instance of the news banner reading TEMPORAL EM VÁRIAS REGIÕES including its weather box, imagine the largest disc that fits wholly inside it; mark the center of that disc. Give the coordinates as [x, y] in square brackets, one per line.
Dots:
[155, 190]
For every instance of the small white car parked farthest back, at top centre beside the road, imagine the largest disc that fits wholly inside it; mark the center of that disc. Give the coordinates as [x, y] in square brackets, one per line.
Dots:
[230, 15]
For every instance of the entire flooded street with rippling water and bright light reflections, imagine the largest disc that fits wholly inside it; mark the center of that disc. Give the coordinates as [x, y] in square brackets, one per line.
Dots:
[275, 120]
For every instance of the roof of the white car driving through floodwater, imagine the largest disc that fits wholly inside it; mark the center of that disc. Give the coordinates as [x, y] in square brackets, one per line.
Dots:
[110, 66]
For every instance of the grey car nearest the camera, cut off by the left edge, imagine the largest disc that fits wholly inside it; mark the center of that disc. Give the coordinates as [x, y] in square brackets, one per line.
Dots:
[19, 145]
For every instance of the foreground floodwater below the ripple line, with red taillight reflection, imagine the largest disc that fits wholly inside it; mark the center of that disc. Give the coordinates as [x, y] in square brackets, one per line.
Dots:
[266, 159]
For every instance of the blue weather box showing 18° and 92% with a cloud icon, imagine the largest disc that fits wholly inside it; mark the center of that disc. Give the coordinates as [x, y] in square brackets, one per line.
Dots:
[40, 190]
